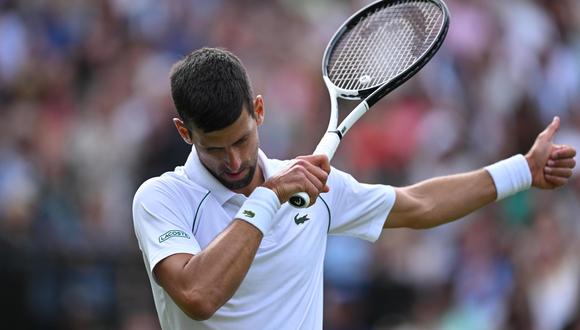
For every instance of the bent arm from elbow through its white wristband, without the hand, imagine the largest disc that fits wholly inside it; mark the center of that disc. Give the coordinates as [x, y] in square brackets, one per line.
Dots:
[201, 284]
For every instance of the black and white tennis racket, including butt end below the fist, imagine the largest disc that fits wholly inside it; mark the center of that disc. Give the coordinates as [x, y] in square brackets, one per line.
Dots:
[373, 52]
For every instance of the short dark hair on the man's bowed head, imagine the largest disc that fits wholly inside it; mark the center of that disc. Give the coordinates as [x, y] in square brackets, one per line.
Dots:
[210, 87]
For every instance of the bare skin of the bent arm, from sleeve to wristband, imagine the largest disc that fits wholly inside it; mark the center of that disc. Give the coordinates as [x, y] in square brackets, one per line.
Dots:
[202, 283]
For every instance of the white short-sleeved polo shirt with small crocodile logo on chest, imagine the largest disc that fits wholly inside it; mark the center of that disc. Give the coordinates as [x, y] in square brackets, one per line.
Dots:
[184, 210]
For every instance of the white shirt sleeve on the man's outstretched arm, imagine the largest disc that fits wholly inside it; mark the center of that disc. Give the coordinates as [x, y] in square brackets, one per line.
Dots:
[358, 209]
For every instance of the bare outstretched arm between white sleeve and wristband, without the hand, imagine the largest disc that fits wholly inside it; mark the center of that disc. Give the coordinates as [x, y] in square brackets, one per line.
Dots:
[440, 200]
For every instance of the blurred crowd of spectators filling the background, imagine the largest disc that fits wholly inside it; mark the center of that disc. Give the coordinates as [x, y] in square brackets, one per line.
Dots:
[86, 117]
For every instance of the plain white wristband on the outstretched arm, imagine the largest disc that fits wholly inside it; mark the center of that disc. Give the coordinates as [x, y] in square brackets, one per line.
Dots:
[510, 176]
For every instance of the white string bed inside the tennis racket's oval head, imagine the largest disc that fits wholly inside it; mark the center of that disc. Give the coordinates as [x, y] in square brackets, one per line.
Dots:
[375, 51]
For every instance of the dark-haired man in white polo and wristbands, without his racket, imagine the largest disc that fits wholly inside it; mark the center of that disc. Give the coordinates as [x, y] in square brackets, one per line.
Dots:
[224, 250]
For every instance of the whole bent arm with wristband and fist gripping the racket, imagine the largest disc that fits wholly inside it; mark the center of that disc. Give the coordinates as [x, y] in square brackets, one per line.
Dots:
[200, 284]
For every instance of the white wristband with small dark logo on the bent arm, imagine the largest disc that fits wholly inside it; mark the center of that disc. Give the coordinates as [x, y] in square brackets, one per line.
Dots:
[259, 209]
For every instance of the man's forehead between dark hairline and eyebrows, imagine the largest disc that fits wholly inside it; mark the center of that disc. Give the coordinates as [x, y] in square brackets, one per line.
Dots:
[243, 126]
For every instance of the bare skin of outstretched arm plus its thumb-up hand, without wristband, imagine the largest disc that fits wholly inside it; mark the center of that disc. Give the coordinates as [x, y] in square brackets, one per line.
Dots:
[437, 201]
